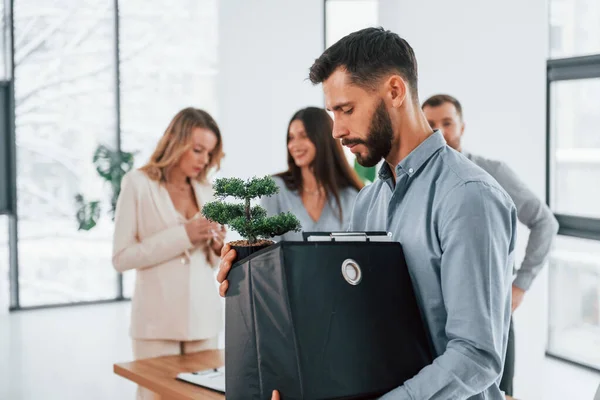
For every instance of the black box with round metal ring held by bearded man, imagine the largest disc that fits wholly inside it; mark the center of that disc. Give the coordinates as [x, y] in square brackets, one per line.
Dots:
[322, 320]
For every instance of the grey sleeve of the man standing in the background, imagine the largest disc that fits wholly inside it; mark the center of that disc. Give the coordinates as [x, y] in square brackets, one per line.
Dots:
[534, 214]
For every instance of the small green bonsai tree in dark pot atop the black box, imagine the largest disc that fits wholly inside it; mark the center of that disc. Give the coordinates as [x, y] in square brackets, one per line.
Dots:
[252, 223]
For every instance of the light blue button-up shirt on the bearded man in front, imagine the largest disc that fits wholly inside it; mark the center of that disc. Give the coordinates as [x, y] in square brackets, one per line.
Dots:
[457, 227]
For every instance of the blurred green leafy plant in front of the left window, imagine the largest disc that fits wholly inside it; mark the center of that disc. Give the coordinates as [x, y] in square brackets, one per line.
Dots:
[111, 165]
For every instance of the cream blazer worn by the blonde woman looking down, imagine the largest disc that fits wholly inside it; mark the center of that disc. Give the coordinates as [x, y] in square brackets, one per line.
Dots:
[176, 296]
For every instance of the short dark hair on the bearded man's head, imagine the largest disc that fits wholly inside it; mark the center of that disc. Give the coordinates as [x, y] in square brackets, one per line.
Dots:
[368, 55]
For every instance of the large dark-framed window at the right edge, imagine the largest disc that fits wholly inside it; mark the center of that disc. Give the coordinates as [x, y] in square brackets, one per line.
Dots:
[574, 180]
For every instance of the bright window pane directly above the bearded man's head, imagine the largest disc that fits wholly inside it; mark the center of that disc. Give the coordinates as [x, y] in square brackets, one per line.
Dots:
[346, 16]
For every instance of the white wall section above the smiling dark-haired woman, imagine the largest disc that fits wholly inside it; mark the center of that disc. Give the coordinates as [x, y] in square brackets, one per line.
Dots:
[265, 49]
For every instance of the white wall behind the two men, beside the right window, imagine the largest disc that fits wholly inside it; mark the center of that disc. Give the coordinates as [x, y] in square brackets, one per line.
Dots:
[491, 56]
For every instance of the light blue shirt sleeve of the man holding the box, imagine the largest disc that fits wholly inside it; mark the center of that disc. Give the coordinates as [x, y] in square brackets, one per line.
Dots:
[476, 230]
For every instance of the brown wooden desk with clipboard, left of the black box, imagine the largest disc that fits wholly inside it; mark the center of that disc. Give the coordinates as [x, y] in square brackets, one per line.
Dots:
[158, 374]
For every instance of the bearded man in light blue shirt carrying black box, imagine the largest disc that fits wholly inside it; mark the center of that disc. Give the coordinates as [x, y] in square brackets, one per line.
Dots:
[457, 226]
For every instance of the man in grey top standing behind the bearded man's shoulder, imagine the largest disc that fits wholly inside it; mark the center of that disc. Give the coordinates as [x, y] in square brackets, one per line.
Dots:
[444, 112]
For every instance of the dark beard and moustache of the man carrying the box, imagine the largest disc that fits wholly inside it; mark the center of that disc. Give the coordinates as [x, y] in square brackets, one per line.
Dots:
[379, 140]
